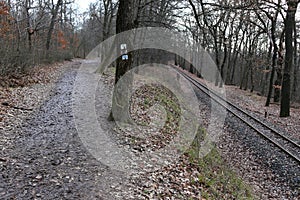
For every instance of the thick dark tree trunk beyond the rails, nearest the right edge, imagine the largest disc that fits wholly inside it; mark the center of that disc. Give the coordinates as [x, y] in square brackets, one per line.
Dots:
[286, 83]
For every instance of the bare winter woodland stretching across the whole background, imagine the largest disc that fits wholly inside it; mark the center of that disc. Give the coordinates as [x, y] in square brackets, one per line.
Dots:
[254, 43]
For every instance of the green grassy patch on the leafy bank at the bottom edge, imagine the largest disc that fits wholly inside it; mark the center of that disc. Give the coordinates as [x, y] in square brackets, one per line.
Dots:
[216, 178]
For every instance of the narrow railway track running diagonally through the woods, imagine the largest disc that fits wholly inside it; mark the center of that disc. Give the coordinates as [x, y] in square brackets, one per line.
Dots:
[287, 145]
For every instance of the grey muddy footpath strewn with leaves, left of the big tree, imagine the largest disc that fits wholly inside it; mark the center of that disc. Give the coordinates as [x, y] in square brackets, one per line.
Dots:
[46, 159]
